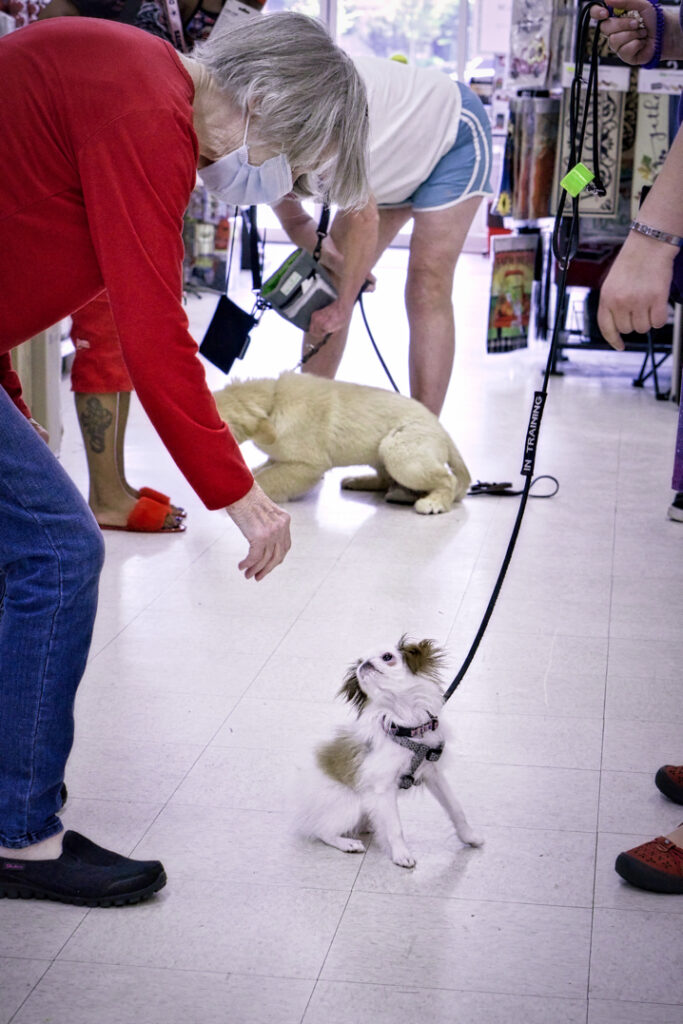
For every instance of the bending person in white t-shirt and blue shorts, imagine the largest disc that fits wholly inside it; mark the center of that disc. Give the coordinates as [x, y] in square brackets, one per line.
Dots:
[430, 160]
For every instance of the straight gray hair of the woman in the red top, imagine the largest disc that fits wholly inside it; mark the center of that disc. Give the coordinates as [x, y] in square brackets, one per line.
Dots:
[306, 98]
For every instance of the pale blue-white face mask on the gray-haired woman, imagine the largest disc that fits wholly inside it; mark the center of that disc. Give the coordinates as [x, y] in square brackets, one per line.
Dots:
[237, 182]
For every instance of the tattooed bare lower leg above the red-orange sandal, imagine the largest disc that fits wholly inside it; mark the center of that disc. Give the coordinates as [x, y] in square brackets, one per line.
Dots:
[100, 419]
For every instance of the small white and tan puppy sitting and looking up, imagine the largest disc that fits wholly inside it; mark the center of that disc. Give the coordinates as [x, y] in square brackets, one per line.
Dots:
[397, 742]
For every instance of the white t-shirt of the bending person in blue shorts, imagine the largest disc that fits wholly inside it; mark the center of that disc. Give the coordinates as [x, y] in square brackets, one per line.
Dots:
[414, 120]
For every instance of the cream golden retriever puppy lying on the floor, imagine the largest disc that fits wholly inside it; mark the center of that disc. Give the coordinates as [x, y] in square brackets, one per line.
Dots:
[308, 424]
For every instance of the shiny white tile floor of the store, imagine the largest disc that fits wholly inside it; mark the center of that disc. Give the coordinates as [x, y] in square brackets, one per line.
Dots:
[205, 696]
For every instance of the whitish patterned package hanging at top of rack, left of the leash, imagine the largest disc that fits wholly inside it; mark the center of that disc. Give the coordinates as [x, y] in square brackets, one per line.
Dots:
[530, 44]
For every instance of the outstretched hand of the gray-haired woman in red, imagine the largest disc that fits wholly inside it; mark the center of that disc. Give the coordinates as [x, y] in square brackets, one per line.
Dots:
[267, 527]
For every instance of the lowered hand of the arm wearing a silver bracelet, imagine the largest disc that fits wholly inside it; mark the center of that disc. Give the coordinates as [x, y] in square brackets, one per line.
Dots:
[635, 294]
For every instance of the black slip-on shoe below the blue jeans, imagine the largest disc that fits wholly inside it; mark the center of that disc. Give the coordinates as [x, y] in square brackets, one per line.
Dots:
[86, 875]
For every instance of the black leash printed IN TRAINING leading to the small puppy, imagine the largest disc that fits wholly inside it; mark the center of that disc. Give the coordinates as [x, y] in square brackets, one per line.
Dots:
[565, 247]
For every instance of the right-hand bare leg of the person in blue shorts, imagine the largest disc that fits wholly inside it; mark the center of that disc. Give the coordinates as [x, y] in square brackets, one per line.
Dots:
[437, 242]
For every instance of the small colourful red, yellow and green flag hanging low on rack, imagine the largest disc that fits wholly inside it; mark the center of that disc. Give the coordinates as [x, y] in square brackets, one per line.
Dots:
[511, 287]
